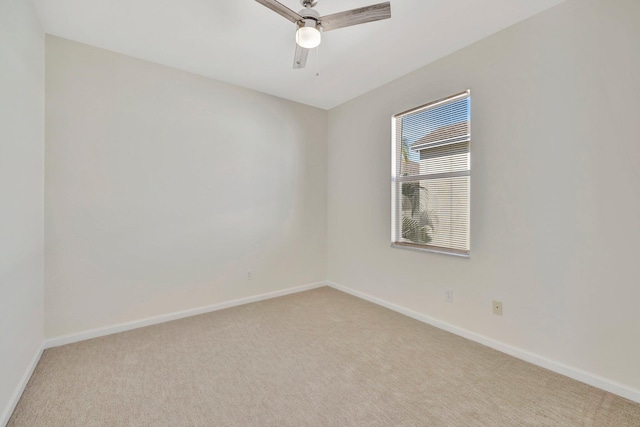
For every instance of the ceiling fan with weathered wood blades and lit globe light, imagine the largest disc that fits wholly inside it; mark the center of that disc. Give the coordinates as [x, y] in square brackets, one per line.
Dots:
[310, 23]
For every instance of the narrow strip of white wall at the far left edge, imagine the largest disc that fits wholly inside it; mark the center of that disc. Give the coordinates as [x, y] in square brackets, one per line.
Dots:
[21, 195]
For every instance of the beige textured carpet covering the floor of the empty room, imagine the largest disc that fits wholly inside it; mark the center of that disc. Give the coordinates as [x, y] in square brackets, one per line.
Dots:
[317, 358]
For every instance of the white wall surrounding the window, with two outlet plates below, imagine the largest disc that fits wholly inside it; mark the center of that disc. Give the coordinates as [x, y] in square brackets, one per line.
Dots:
[555, 190]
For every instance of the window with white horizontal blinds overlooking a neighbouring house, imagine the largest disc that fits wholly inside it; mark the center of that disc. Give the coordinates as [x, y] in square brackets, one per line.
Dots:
[431, 176]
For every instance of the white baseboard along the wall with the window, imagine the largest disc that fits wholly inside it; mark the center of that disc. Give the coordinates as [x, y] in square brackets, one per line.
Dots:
[552, 365]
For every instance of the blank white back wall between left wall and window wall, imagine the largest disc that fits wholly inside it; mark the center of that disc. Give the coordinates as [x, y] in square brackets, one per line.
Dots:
[164, 189]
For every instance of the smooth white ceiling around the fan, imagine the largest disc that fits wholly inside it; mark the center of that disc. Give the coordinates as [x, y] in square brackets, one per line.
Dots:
[244, 43]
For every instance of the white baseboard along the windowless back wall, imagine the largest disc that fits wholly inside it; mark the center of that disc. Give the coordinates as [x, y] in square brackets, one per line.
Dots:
[113, 329]
